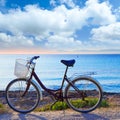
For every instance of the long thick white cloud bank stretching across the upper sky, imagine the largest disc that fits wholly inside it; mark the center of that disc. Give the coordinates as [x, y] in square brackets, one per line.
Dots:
[34, 20]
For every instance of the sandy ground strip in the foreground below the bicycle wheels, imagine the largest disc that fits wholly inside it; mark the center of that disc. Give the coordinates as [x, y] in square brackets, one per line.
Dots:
[101, 114]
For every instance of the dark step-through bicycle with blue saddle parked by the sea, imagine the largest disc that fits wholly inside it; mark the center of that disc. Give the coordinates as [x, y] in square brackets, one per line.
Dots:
[82, 94]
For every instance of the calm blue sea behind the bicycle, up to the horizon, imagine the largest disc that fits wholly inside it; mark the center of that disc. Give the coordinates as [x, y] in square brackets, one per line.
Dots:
[106, 69]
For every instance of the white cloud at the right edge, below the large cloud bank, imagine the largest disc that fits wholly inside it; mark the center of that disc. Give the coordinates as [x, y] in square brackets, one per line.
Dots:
[109, 33]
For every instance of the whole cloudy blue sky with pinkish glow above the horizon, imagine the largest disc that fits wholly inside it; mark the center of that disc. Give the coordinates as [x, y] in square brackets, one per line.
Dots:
[60, 26]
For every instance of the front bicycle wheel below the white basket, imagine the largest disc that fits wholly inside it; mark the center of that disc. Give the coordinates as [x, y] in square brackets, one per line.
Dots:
[19, 102]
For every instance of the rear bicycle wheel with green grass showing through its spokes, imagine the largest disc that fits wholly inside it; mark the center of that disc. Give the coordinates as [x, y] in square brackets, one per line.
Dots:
[83, 95]
